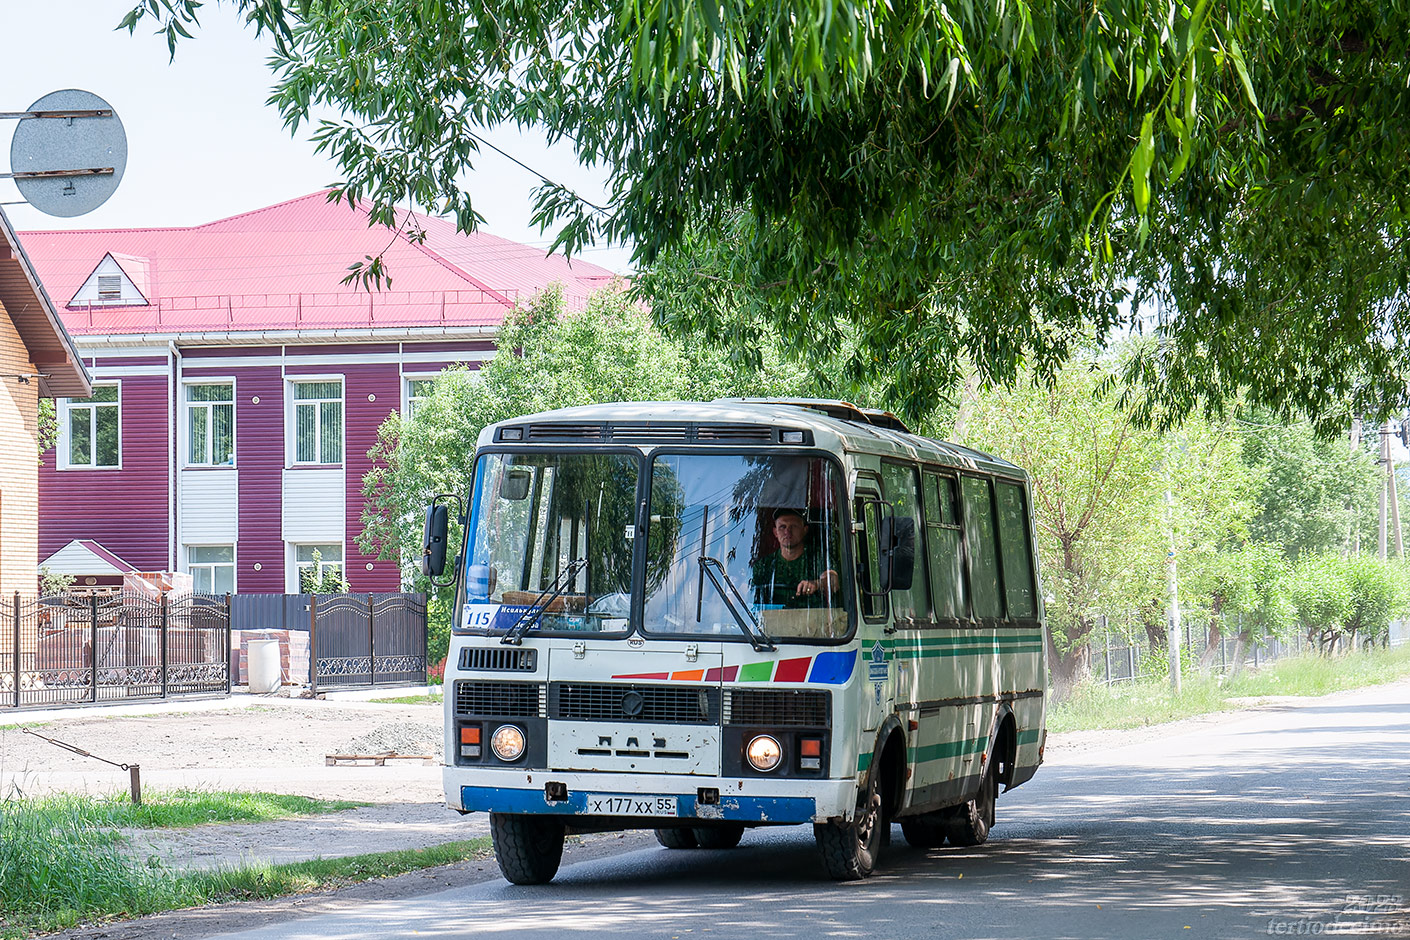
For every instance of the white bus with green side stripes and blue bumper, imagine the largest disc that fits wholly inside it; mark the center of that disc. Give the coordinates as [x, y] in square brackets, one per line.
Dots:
[706, 618]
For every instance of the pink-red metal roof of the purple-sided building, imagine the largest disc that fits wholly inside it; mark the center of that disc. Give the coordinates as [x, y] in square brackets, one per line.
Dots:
[280, 268]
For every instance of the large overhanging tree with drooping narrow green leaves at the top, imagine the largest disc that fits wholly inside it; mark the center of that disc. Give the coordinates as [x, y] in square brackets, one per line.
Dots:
[991, 181]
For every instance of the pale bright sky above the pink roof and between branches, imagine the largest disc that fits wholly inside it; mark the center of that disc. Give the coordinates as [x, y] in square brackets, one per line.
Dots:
[202, 144]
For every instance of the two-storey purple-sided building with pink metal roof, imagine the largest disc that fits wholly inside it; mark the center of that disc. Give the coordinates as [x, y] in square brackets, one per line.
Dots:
[239, 385]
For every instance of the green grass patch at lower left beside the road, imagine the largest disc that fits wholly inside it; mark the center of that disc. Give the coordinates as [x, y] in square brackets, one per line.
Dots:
[61, 865]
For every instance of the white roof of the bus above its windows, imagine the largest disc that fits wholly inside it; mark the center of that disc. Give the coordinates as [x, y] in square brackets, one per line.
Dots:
[744, 422]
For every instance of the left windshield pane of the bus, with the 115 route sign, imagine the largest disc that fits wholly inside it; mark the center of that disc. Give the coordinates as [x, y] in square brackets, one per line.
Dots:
[553, 532]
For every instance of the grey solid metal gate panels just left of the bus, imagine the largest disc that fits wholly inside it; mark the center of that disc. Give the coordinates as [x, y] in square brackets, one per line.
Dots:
[374, 639]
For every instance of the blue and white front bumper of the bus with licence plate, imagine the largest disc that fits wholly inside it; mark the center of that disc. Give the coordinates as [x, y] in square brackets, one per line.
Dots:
[754, 801]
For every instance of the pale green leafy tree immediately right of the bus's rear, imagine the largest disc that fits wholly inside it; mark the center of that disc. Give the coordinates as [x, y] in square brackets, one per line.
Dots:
[1101, 483]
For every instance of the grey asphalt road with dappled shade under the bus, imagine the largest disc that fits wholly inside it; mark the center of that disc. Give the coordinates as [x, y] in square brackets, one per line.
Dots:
[1292, 821]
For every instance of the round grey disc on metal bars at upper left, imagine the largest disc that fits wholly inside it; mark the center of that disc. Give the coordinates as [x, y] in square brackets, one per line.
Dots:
[47, 144]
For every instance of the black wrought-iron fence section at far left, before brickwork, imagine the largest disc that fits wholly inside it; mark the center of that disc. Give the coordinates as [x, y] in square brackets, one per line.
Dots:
[80, 649]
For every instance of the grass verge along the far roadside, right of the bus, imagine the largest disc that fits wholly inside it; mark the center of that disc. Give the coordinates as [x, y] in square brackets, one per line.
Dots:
[1150, 703]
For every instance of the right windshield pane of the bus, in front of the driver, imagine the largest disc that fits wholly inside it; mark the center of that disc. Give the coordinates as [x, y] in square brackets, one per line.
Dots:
[775, 528]
